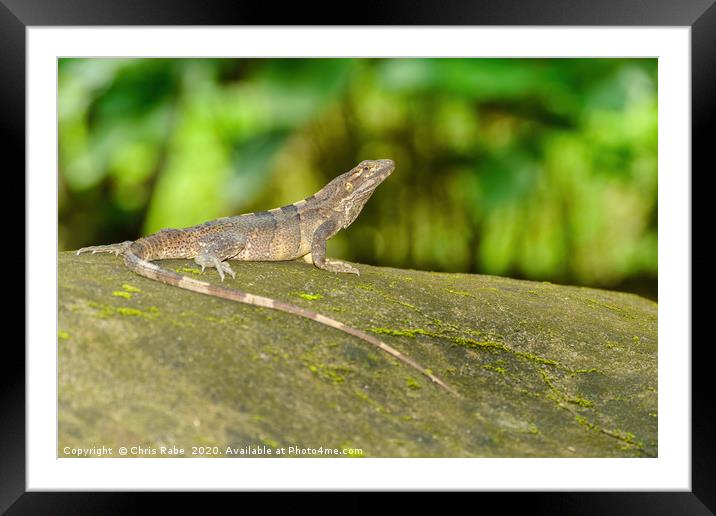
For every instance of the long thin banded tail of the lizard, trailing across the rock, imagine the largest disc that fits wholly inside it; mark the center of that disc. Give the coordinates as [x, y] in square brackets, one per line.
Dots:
[152, 271]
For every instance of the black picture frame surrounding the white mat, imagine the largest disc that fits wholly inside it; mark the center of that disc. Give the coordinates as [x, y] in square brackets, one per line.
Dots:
[17, 15]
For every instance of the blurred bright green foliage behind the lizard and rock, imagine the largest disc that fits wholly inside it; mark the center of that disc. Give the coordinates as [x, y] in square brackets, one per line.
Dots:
[534, 168]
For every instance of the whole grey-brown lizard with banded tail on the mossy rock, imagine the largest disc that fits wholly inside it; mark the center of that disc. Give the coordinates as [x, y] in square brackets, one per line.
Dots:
[291, 232]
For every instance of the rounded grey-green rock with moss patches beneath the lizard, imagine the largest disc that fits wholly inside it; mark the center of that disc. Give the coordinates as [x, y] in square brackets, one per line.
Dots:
[543, 370]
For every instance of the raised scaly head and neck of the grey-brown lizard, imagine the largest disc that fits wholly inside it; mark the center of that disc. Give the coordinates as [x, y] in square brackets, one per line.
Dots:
[350, 191]
